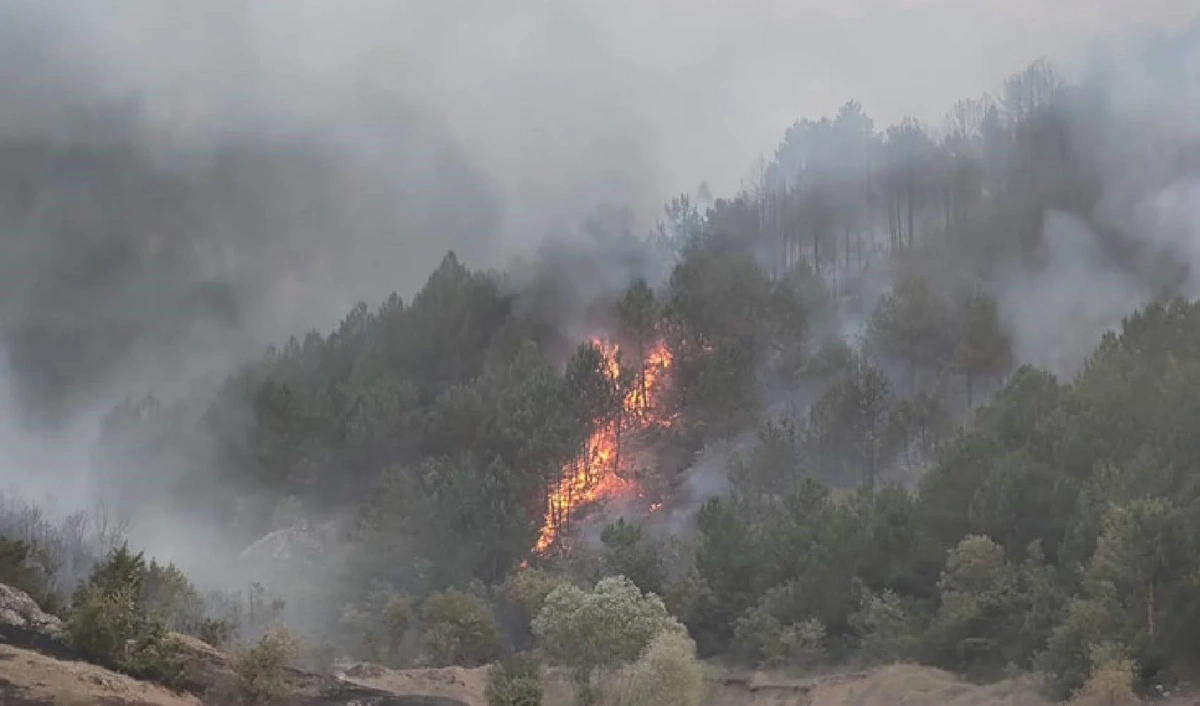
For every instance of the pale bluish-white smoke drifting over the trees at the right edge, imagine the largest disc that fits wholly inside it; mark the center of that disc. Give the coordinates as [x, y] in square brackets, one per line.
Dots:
[1139, 137]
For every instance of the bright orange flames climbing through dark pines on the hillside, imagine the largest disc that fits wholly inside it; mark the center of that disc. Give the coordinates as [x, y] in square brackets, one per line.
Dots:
[598, 474]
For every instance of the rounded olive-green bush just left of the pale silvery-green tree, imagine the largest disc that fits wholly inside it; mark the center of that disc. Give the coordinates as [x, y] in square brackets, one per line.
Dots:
[460, 630]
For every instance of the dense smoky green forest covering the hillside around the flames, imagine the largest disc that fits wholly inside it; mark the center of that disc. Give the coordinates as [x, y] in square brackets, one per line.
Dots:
[897, 483]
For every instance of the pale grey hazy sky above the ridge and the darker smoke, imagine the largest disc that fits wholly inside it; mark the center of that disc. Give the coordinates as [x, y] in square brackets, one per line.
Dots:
[561, 101]
